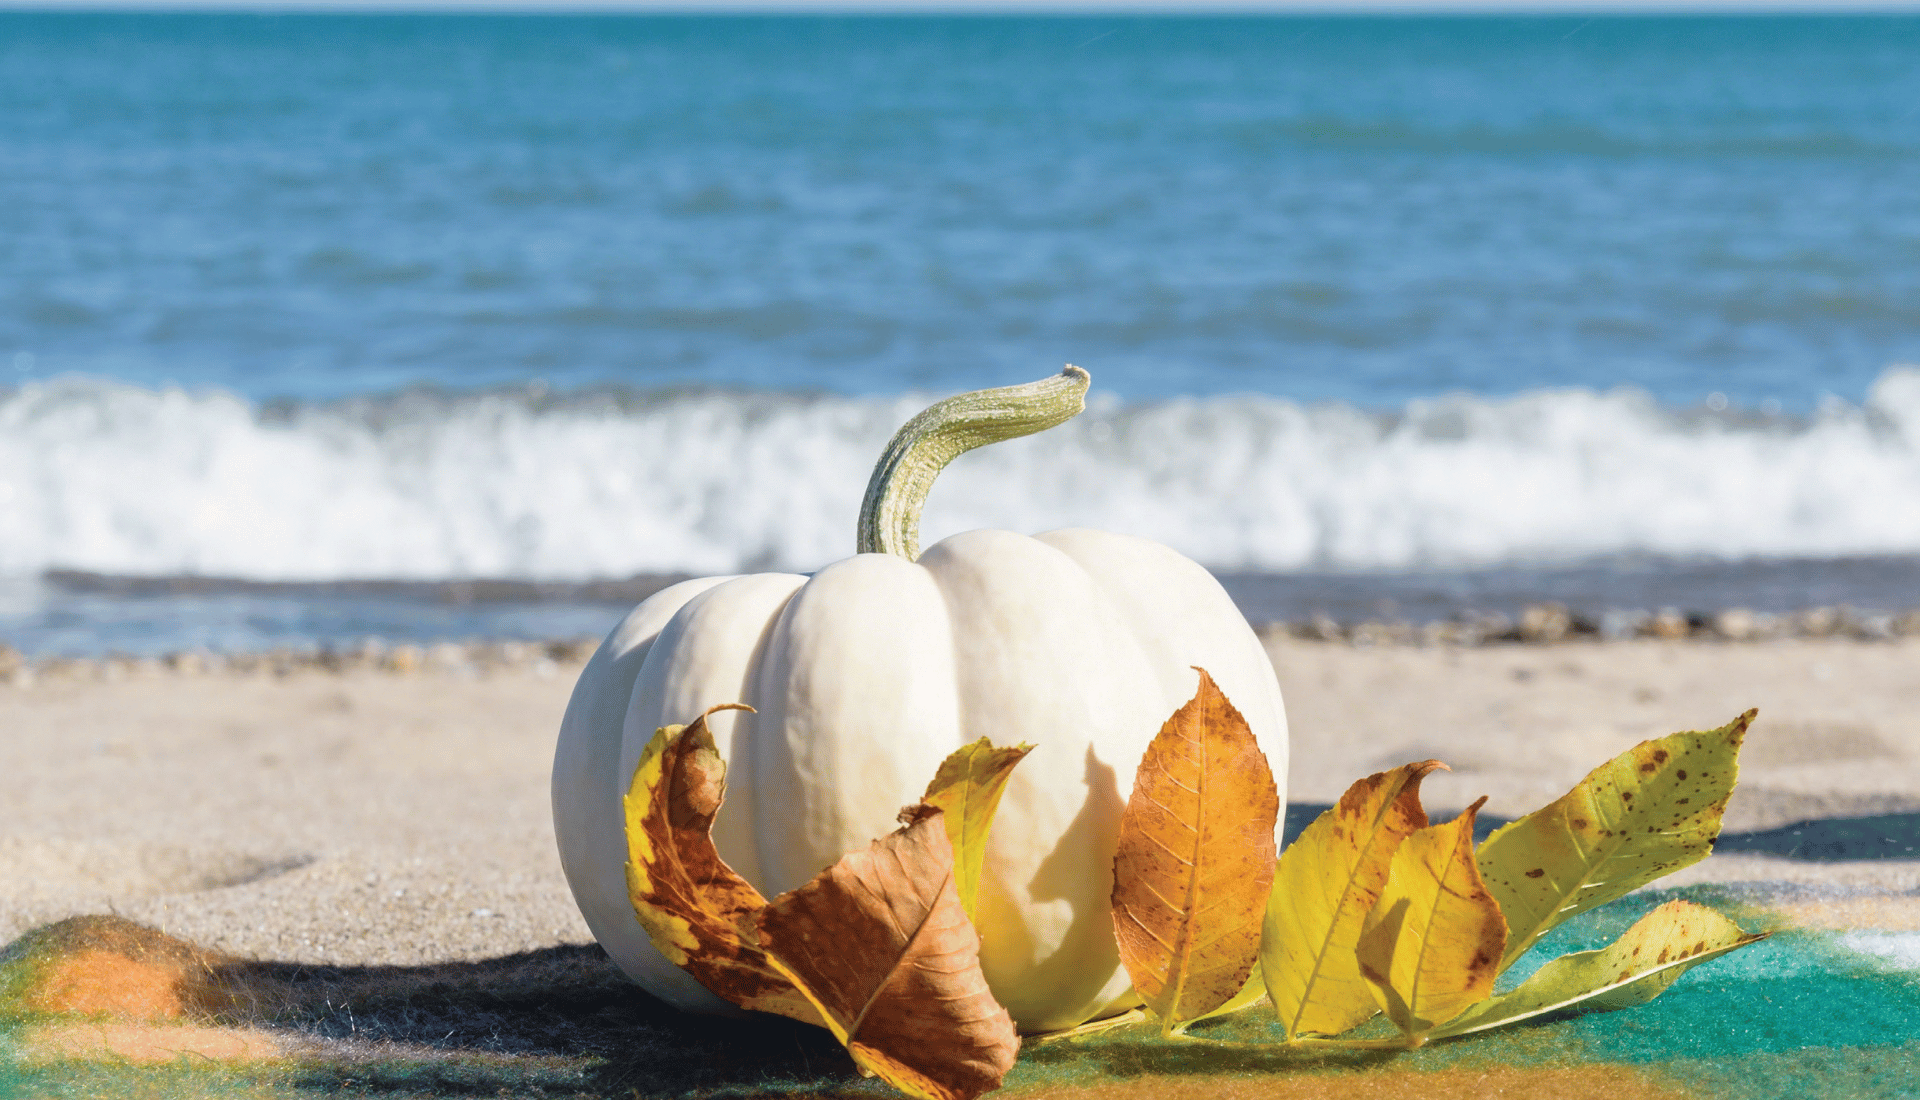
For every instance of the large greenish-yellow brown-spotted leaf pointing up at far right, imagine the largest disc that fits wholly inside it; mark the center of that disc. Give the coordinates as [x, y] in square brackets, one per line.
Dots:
[1643, 815]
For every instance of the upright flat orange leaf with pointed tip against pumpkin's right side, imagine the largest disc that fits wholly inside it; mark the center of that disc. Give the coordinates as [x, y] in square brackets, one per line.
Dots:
[1195, 861]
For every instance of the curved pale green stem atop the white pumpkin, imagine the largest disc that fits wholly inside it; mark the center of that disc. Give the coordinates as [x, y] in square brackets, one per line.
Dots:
[890, 515]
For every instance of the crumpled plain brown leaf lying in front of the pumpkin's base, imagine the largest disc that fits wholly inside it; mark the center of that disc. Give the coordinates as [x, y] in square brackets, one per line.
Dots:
[882, 947]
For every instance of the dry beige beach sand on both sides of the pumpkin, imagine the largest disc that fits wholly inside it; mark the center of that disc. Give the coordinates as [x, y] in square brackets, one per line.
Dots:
[375, 819]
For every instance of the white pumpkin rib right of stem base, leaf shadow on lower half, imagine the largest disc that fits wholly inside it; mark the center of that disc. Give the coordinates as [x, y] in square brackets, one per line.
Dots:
[1045, 658]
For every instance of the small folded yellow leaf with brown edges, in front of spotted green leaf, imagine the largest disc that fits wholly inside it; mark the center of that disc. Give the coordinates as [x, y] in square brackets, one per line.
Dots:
[1433, 940]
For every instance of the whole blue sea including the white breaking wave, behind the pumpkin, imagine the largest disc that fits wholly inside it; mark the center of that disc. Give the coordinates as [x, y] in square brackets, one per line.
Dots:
[312, 322]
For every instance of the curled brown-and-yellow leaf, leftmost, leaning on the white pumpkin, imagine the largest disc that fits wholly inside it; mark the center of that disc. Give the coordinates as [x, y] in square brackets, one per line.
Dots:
[696, 909]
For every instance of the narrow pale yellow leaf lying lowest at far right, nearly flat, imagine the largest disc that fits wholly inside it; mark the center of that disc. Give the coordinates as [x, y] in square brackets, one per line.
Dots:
[1633, 970]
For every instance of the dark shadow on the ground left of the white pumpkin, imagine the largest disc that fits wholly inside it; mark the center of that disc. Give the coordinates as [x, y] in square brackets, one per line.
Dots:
[546, 1022]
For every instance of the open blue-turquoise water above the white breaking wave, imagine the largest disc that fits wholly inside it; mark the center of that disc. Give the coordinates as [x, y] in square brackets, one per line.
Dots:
[1360, 210]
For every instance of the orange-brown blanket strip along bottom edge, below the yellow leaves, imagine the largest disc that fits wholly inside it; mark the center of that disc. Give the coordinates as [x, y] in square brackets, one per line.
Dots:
[1502, 1084]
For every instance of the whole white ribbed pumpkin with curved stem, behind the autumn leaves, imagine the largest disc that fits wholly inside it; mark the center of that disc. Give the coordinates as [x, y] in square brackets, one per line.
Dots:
[865, 677]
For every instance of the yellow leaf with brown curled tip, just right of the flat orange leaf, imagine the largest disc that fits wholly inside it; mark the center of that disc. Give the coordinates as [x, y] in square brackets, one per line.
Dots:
[1328, 884]
